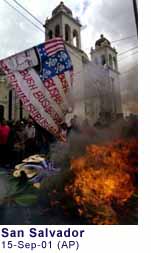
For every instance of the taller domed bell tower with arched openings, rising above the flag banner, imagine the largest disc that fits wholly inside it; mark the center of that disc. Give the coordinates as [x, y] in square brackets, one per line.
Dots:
[62, 24]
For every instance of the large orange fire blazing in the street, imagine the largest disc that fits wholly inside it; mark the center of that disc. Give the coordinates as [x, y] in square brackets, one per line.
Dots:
[103, 176]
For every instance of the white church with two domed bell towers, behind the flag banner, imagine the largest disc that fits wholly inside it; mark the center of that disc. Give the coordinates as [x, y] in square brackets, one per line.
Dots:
[96, 85]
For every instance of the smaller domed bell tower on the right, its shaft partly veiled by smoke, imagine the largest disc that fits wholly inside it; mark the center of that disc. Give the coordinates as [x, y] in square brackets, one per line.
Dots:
[105, 55]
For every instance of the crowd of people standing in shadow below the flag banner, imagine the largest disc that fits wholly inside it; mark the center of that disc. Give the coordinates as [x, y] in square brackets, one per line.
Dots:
[24, 138]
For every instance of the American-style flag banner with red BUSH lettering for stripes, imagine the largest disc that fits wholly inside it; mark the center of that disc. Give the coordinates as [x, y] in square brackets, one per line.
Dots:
[42, 79]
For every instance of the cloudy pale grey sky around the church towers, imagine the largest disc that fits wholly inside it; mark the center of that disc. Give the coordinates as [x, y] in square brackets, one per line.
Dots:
[113, 18]
